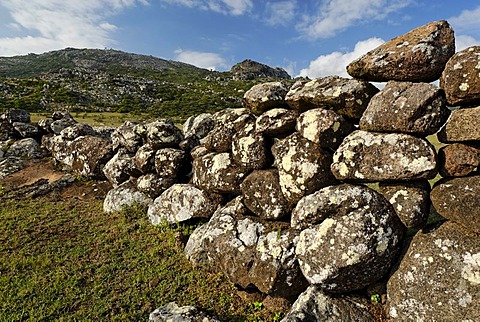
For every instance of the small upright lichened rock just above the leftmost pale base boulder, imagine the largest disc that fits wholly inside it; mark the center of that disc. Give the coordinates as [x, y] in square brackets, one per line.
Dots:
[118, 169]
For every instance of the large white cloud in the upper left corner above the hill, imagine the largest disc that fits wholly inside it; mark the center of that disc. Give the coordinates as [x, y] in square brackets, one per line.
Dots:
[54, 24]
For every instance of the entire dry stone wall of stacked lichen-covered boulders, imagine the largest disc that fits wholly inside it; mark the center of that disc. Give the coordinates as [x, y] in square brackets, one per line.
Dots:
[315, 187]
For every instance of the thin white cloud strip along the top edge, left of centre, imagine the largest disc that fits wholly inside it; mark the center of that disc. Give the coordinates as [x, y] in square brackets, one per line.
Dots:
[232, 7]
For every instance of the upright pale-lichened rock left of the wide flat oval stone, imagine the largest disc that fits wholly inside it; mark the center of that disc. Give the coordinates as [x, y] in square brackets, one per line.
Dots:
[303, 166]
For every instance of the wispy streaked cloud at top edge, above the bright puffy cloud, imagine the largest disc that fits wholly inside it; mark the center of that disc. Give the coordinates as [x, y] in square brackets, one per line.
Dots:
[337, 15]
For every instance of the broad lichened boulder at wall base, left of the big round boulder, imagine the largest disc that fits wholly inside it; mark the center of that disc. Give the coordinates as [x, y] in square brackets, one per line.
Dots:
[248, 250]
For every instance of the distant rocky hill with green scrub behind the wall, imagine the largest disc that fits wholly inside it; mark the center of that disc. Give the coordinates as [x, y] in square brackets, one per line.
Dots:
[111, 80]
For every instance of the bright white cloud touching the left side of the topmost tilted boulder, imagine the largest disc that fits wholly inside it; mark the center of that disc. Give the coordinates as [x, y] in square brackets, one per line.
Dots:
[336, 62]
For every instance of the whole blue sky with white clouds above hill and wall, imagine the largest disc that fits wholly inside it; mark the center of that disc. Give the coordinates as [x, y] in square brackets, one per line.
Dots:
[309, 38]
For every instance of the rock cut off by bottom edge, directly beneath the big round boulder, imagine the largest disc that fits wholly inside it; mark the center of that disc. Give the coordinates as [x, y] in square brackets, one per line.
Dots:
[315, 305]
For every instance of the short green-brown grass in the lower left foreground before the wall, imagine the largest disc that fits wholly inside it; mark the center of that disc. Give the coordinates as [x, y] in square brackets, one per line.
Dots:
[63, 259]
